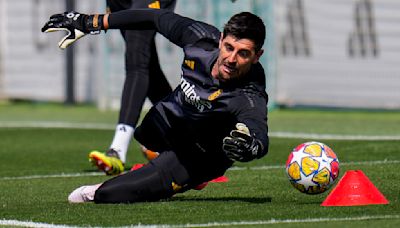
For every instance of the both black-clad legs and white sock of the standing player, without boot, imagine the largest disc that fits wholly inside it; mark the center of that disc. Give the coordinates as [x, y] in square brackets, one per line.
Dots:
[142, 71]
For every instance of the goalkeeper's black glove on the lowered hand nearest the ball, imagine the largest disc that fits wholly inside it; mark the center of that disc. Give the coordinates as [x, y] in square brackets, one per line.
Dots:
[240, 145]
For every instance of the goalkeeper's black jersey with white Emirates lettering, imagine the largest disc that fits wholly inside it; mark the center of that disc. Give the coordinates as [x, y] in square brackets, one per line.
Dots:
[202, 110]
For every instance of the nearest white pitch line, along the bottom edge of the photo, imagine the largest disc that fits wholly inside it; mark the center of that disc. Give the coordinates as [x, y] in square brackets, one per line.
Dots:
[215, 224]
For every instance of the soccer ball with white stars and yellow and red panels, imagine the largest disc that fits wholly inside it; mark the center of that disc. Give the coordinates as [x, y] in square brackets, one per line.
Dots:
[312, 167]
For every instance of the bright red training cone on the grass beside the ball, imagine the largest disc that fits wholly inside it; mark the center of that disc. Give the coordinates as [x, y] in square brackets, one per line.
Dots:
[353, 189]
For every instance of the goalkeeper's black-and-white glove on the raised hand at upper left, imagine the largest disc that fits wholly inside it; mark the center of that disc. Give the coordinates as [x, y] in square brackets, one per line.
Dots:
[76, 24]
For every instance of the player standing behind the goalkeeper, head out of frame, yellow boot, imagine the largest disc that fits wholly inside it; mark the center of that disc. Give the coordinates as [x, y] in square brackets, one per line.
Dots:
[144, 78]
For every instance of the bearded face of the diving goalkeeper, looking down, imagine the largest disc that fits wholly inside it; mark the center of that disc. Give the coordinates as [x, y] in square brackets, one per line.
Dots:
[235, 58]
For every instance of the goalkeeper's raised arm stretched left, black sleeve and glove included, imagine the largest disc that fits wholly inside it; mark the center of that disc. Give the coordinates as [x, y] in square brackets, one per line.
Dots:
[179, 30]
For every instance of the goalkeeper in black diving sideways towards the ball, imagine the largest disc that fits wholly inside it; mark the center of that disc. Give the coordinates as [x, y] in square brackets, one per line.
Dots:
[216, 116]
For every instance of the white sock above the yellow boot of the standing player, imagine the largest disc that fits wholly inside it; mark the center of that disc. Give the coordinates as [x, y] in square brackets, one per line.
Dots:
[122, 138]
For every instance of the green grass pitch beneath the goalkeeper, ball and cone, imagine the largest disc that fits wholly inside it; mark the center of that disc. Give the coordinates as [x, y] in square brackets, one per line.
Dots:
[40, 166]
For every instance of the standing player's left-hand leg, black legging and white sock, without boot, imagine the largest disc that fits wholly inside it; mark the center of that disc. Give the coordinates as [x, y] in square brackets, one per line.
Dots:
[137, 63]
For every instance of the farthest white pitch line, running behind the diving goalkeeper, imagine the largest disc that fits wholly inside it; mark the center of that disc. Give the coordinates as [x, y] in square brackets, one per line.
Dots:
[100, 126]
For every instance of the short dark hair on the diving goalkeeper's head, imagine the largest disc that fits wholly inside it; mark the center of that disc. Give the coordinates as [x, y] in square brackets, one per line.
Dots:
[246, 25]
